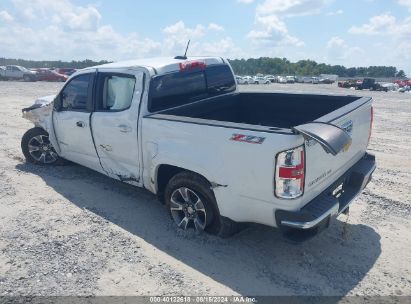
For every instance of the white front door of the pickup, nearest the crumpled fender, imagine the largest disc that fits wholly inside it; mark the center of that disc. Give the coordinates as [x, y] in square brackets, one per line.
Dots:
[71, 121]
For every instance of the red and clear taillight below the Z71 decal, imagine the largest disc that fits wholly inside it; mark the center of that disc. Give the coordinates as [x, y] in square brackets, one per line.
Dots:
[289, 173]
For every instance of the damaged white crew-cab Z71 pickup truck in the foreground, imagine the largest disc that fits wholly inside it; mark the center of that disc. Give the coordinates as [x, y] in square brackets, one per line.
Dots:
[216, 157]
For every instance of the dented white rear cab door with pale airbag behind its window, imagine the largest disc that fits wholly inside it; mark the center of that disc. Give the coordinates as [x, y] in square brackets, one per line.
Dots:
[115, 123]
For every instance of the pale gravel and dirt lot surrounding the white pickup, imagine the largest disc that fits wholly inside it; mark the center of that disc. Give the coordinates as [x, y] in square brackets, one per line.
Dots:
[71, 231]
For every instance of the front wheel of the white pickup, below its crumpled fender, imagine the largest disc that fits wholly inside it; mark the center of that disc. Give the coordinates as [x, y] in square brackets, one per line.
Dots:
[37, 148]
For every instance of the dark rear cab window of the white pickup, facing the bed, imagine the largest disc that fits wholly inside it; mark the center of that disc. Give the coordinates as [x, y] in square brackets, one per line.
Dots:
[184, 87]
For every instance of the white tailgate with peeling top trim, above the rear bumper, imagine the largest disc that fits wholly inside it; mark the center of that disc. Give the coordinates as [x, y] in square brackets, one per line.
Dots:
[334, 143]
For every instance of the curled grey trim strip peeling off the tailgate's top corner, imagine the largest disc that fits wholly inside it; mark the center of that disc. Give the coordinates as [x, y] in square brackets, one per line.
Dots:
[332, 138]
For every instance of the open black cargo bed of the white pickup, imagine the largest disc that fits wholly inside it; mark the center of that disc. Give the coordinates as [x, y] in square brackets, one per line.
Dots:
[272, 110]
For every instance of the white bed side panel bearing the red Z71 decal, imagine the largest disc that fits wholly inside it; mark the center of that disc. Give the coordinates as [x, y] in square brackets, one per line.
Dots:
[245, 170]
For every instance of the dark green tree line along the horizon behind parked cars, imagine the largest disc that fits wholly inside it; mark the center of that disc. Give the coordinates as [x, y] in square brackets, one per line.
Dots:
[252, 66]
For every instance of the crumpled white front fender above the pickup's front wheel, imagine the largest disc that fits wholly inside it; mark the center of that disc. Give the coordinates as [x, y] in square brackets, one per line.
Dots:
[41, 115]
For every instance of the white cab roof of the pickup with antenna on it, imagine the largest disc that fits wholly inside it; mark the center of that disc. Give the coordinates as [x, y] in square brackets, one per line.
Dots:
[160, 65]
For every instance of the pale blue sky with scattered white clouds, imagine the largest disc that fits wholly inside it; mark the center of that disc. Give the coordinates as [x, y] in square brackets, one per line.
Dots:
[346, 32]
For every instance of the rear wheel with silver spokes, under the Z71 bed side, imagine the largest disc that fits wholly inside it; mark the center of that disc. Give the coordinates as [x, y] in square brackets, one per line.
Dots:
[192, 204]
